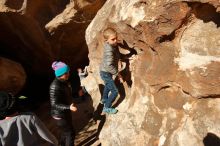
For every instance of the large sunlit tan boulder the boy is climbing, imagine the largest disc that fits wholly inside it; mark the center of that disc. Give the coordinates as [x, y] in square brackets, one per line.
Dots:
[171, 91]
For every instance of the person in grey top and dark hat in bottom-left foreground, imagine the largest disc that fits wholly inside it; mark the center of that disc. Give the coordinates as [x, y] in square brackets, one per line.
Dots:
[21, 129]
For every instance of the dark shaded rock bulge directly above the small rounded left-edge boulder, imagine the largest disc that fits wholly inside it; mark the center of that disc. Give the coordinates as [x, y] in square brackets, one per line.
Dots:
[27, 44]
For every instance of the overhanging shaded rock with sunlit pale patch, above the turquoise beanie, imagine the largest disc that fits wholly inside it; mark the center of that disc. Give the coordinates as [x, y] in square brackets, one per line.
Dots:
[67, 31]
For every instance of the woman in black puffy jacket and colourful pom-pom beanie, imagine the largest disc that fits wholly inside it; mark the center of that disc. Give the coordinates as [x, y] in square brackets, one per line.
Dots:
[61, 103]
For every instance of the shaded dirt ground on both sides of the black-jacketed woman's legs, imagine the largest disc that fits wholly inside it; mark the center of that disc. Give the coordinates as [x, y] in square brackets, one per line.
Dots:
[86, 121]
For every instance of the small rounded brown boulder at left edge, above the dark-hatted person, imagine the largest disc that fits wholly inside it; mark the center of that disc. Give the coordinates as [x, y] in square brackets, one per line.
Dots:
[13, 76]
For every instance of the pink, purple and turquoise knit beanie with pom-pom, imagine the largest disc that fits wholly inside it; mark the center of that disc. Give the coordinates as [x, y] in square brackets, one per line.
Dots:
[60, 68]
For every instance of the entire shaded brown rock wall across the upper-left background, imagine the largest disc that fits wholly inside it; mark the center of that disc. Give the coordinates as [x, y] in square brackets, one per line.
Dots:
[35, 33]
